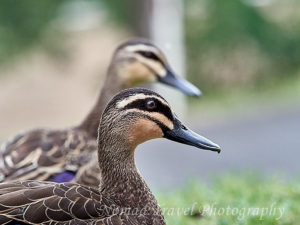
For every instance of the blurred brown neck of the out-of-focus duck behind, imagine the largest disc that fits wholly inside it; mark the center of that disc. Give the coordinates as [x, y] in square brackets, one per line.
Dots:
[111, 86]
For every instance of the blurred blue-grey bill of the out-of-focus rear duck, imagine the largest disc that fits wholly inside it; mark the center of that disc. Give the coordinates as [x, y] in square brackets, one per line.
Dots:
[177, 82]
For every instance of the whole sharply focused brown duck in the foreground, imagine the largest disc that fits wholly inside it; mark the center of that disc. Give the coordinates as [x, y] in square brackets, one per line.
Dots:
[132, 117]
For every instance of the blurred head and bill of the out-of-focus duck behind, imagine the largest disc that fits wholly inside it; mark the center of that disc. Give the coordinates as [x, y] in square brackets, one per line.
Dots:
[139, 61]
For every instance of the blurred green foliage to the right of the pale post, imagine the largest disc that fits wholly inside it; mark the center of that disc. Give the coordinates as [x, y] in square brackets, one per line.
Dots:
[230, 43]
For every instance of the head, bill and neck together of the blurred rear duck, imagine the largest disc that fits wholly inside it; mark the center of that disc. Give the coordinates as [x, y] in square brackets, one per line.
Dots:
[134, 62]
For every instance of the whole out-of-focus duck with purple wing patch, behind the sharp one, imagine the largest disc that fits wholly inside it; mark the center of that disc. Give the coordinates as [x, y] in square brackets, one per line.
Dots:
[63, 155]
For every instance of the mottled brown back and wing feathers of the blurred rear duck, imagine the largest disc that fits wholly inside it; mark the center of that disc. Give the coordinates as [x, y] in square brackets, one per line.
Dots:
[42, 154]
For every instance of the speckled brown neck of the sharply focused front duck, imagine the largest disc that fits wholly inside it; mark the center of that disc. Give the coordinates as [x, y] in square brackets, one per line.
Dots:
[120, 180]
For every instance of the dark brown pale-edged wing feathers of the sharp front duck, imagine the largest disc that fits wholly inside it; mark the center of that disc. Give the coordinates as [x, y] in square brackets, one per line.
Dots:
[33, 202]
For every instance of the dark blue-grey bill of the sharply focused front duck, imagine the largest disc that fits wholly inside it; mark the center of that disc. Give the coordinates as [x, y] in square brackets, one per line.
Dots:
[184, 135]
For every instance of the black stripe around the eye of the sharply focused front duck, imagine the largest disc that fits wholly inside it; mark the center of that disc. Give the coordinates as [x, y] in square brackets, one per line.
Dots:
[160, 108]
